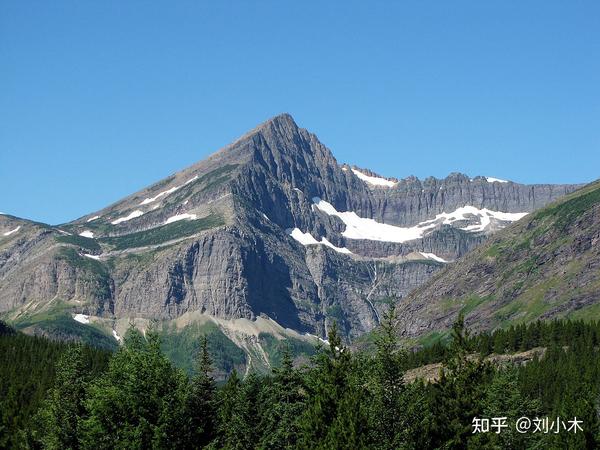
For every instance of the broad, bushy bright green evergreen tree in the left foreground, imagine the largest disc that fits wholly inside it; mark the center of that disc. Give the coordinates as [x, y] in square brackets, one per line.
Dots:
[138, 402]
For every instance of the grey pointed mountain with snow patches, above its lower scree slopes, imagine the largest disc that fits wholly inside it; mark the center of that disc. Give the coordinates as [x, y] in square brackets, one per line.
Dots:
[270, 225]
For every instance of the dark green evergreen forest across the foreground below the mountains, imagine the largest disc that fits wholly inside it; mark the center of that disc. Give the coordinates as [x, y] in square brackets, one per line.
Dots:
[342, 400]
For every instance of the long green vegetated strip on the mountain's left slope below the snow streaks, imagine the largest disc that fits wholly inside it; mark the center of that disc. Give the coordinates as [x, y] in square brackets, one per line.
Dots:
[165, 233]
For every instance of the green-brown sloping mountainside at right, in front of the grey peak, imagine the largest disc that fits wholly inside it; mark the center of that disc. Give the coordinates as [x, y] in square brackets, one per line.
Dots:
[545, 266]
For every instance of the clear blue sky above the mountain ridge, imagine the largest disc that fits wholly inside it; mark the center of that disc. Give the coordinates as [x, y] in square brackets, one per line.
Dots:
[101, 98]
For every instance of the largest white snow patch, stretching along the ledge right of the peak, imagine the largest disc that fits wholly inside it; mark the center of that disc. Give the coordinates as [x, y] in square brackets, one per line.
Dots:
[361, 228]
